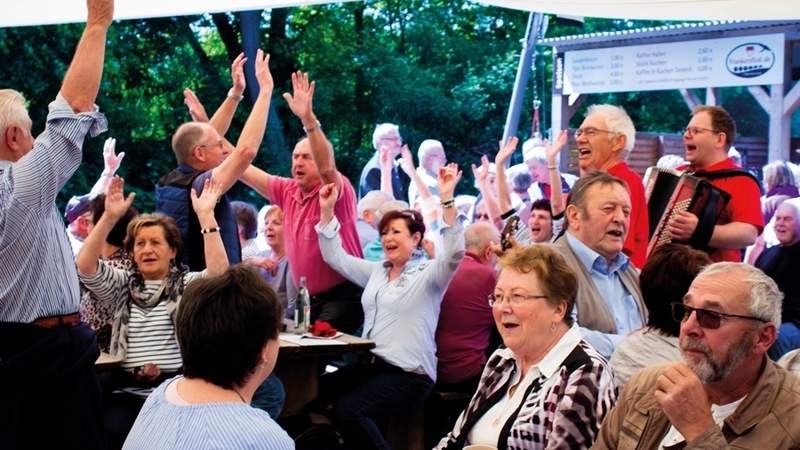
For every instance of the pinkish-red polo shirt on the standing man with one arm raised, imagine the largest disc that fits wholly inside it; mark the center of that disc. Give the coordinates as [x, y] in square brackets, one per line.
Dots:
[300, 215]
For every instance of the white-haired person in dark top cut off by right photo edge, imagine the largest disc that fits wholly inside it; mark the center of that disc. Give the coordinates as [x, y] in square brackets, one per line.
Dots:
[780, 263]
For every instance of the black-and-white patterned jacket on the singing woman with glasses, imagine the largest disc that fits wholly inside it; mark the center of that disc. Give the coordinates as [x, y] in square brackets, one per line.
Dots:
[560, 412]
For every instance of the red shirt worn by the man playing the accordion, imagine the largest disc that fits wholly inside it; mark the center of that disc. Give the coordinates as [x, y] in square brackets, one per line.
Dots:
[744, 206]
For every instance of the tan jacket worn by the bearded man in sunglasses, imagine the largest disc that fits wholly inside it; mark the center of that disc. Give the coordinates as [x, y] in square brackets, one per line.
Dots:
[768, 418]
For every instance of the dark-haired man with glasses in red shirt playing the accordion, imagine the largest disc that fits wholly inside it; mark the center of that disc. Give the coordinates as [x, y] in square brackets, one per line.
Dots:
[707, 138]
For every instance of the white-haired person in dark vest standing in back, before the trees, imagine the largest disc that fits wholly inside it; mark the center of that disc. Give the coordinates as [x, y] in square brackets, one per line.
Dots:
[385, 138]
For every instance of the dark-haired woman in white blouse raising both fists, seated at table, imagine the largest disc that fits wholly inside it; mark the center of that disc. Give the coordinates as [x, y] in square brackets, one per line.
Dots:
[401, 301]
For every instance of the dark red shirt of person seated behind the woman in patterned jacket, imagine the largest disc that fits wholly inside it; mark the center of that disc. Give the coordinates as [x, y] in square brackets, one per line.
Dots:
[465, 322]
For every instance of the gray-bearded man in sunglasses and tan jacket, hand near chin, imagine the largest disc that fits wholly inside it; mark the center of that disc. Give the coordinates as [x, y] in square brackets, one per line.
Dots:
[726, 393]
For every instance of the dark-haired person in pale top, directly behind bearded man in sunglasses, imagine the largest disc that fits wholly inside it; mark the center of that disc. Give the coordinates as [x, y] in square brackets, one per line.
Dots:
[665, 278]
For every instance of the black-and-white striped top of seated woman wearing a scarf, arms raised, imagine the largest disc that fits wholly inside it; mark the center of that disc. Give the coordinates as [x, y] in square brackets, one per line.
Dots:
[151, 331]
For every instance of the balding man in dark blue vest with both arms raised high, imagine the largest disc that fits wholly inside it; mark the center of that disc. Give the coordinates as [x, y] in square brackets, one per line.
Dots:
[203, 152]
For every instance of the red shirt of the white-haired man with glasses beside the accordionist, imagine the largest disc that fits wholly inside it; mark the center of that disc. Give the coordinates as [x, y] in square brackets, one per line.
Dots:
[639, 229]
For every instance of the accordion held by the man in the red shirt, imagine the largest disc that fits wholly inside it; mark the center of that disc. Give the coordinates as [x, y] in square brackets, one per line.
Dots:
[669, 192]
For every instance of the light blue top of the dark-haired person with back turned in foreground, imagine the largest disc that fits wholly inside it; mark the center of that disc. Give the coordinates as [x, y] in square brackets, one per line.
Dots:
[165, 425]
